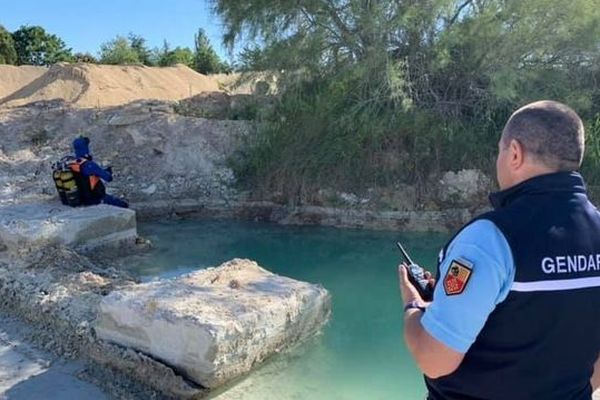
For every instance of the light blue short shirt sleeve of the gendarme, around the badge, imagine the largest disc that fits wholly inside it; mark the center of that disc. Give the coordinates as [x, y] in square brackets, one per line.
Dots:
[456, 319]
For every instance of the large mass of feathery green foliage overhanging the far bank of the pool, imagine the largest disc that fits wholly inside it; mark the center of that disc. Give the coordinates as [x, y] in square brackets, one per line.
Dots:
[373, 92]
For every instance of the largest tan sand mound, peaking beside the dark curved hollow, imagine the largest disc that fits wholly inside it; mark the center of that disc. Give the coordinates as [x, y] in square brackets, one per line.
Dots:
[91, 85]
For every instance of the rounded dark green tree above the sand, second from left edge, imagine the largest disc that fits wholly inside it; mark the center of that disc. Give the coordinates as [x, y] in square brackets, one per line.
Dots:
[34, 46]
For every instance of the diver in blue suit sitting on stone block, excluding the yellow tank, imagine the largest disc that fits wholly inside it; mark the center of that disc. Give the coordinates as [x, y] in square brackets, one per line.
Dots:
[89, 176]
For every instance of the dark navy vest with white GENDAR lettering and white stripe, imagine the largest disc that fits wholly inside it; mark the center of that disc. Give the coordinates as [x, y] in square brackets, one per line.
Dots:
[542, 341]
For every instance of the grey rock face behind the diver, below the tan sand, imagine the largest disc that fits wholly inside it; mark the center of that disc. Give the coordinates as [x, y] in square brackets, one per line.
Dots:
[146, 143]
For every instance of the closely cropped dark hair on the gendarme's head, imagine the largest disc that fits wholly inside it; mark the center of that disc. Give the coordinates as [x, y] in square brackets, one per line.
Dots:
[551, 131]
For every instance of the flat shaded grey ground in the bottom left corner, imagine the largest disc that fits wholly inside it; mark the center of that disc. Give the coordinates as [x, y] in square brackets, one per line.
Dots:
[27, 372]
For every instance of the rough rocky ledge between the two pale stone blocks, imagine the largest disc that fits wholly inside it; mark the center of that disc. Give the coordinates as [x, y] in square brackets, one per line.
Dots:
[59, 291]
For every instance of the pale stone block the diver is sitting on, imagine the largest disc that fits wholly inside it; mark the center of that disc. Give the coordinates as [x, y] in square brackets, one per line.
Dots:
[30, 226]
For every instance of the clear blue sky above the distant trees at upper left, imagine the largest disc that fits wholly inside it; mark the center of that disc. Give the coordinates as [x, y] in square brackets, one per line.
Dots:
[85, 24]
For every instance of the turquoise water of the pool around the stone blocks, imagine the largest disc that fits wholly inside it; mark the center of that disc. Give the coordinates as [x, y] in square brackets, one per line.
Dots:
[361, 353]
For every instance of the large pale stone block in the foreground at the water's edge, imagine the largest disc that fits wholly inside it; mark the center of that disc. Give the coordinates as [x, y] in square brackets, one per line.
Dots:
[214, 325]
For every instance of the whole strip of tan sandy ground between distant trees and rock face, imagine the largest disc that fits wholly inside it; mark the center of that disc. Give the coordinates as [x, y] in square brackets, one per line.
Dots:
[96, 86]
